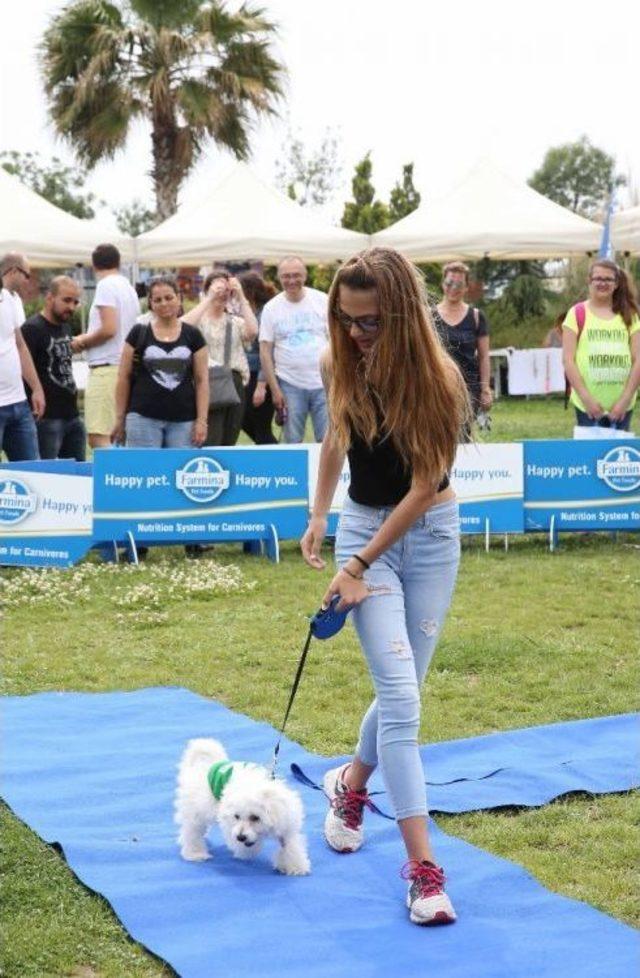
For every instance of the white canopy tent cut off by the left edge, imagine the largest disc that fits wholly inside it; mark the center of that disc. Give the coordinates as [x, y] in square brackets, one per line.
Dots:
[48, 236]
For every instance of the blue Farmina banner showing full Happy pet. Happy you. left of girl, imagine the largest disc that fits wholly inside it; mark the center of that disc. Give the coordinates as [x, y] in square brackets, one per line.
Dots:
[188, 495]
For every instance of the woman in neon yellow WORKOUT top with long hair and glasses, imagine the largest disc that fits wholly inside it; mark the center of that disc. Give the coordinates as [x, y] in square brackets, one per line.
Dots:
[601, 349]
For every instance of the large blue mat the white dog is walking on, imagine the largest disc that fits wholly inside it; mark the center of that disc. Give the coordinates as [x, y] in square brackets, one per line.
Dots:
[95, 773]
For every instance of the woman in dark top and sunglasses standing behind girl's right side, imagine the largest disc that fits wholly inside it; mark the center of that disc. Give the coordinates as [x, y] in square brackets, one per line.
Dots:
[464, 331]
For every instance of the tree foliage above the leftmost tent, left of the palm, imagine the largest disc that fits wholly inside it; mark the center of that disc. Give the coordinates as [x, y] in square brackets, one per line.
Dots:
[61, 185]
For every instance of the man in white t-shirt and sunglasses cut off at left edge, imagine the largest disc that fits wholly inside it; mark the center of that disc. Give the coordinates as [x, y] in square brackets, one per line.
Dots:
[18, 436]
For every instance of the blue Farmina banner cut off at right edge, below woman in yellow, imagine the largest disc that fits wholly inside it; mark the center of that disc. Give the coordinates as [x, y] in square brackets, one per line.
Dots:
[585, 485]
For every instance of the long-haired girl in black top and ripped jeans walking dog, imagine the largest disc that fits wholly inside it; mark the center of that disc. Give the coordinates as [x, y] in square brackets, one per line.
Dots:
[397, 403]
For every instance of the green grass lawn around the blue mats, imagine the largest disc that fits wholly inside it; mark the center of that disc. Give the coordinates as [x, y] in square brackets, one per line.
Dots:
[532, 638]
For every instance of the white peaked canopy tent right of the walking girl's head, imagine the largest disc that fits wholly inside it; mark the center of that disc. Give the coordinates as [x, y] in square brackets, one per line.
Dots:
[488, 214]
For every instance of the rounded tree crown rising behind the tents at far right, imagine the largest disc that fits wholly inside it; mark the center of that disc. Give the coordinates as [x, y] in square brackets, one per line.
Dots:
[578, 176]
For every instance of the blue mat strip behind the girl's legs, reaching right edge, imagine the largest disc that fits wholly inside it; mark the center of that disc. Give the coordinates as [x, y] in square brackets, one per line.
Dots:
[527, 767]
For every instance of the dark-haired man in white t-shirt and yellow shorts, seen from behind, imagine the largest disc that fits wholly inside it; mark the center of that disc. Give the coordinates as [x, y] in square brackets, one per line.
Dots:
[114, 310]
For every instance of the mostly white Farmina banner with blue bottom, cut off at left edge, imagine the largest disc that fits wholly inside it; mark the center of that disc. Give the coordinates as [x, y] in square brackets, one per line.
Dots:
[45, 513]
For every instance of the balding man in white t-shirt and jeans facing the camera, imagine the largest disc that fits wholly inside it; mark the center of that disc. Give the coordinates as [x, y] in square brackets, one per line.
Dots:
[293, 333]
